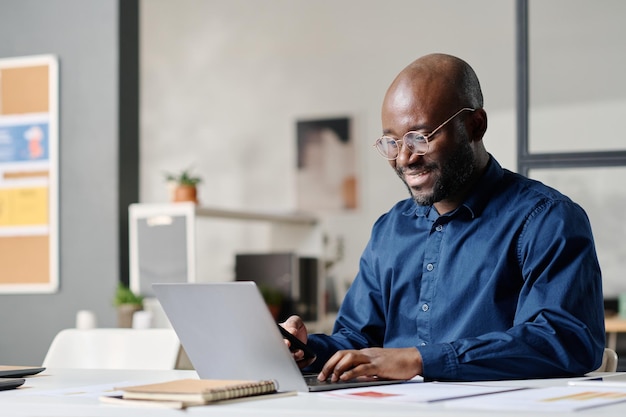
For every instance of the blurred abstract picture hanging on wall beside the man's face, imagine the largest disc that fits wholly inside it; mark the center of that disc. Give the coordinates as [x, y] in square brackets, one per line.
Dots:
[326, 168]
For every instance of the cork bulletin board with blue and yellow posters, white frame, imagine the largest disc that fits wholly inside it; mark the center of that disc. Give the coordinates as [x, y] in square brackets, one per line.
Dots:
[29, 174]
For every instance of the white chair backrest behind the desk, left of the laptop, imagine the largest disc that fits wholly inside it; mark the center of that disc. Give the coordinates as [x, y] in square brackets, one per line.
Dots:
[114, 348]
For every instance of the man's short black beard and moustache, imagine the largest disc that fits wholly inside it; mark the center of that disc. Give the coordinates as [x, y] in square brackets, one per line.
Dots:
[456, 171]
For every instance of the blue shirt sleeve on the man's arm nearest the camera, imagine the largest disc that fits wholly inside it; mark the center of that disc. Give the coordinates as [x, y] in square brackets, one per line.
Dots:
[558, 328]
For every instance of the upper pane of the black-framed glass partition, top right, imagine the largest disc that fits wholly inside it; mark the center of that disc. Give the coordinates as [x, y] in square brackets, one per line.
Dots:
[577, 91]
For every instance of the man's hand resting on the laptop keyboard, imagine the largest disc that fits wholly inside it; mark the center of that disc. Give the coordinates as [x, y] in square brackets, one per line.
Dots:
[388, 363]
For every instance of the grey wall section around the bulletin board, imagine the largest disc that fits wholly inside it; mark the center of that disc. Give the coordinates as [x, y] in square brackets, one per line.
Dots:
[83, 35]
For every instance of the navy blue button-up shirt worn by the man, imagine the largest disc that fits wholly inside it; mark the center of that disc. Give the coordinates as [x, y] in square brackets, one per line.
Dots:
[506, 286]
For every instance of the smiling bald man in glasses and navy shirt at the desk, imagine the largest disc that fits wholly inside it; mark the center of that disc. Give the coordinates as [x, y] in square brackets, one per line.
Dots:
[482, 274]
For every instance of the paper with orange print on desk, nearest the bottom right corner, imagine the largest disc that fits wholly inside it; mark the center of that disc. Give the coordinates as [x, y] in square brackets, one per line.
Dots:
[557, 399]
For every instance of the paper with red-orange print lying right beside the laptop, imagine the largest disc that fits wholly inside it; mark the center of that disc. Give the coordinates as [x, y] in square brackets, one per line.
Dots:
[427, 392]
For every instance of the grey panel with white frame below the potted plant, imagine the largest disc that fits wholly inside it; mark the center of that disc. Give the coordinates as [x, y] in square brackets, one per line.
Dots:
[162, 245]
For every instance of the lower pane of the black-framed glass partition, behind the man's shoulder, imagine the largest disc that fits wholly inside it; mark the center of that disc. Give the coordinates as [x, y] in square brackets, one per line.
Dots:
[599, 192]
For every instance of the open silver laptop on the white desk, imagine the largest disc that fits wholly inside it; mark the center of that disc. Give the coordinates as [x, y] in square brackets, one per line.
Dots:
[228, 332]
